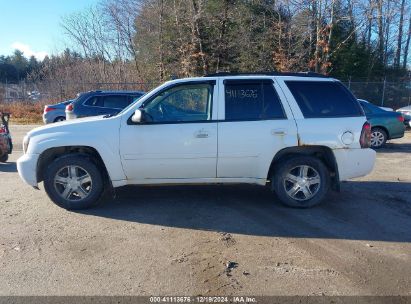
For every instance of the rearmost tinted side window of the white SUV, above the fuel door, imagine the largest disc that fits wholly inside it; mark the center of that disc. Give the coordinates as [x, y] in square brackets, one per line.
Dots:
[322, 99]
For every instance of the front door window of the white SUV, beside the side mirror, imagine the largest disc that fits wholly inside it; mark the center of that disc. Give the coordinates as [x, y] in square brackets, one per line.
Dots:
[181, 103]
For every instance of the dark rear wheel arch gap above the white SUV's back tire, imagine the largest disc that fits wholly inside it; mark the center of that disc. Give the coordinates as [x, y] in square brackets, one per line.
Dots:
[324, 153]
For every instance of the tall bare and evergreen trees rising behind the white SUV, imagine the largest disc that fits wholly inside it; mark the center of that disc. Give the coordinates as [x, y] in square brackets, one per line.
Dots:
[153, 40]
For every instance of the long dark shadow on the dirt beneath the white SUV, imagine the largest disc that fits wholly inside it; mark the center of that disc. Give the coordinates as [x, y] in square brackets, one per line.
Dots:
[378, 211]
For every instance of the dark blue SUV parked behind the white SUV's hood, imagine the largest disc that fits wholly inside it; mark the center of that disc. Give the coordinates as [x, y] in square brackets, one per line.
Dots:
[96, 103]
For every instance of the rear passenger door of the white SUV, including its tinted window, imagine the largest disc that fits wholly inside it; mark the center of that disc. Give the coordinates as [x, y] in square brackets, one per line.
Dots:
[255, 122]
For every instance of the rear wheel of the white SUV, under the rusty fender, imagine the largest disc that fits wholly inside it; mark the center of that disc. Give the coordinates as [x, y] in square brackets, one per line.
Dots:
[280, 181]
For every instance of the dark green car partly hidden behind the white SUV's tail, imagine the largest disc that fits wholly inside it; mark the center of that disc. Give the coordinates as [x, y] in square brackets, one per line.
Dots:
[385, 125]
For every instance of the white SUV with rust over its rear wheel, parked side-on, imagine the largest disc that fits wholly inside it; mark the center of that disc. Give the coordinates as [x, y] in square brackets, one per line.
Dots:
[299, 133]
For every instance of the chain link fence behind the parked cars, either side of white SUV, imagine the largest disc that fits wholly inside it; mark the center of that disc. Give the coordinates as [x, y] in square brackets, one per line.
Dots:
[393, 94]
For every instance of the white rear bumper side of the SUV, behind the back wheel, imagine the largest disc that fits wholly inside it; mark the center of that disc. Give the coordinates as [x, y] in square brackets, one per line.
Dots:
[354, 162]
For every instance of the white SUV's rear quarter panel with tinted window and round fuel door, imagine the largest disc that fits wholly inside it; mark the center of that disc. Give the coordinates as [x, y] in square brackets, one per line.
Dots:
[326, 112]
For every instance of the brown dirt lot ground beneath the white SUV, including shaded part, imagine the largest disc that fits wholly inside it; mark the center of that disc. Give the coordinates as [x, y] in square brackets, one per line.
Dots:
[177, 240]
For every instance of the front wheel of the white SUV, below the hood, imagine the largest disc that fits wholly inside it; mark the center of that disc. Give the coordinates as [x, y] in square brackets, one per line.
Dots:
[56, 190]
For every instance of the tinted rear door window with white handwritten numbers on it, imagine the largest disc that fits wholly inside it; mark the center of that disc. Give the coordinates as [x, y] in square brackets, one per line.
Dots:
[252, 100]
